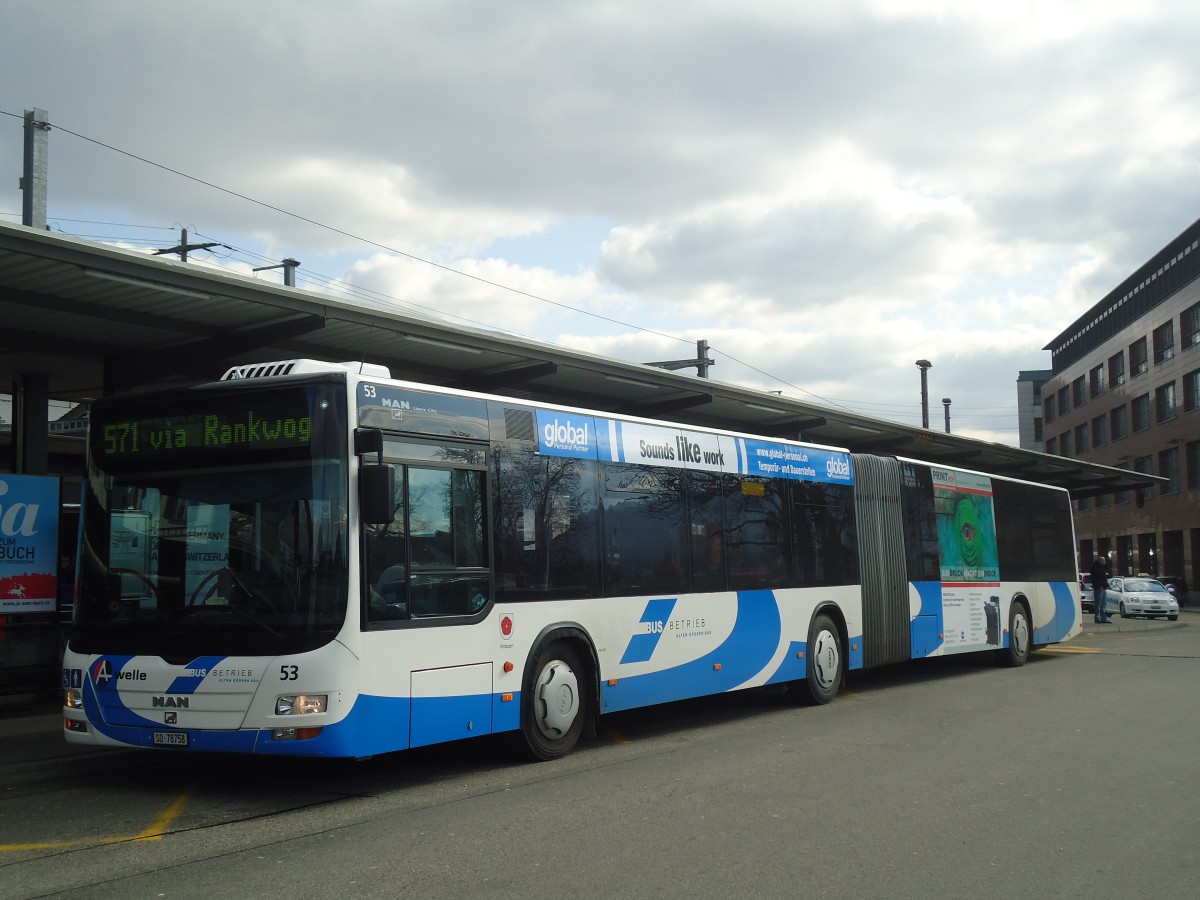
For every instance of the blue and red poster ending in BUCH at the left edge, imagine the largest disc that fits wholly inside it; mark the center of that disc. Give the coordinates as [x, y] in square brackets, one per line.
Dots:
[29, 544]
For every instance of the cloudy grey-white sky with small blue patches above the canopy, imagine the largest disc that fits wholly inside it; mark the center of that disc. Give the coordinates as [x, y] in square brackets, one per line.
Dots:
[824, 191]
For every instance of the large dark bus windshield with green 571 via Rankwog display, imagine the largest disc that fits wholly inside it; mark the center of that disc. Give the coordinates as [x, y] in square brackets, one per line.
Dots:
[217, 527]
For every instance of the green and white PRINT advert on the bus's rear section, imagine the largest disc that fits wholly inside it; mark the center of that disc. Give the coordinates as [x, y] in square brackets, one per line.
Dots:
[967, 538]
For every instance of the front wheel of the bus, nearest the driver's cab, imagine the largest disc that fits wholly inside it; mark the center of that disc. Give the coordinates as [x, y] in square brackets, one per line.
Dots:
[555, 704]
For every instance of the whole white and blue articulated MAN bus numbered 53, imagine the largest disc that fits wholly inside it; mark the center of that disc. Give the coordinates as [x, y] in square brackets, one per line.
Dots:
[311, 559]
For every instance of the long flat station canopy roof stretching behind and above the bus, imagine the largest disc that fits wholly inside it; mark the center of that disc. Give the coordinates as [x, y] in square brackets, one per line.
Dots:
[97, 320]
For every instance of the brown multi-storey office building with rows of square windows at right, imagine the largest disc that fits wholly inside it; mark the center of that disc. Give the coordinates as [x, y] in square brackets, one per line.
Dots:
[1125, 392]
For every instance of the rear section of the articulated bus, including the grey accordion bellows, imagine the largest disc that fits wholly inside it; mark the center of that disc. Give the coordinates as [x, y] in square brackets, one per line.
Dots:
[962, 562]
